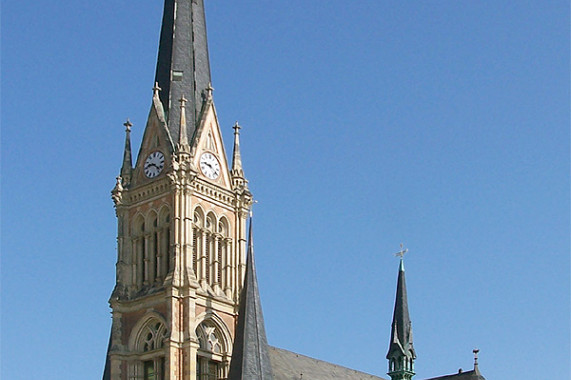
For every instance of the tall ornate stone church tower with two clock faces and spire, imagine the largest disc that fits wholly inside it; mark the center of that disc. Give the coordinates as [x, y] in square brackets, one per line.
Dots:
[181, 216]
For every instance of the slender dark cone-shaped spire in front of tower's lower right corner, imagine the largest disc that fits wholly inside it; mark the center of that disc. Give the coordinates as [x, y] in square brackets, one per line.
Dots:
[250, 355]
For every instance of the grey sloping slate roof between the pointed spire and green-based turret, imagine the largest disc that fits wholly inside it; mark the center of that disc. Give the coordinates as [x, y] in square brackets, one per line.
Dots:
[288, 365]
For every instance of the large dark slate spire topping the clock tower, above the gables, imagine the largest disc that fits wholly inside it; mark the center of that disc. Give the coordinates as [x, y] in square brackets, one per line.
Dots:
[183, 67]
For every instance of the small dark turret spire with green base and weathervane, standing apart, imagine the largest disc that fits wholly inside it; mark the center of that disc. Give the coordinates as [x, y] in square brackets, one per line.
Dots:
[401, 353]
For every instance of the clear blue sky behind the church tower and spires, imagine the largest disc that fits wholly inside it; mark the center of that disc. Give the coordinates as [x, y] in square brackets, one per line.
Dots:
[440, 124]
